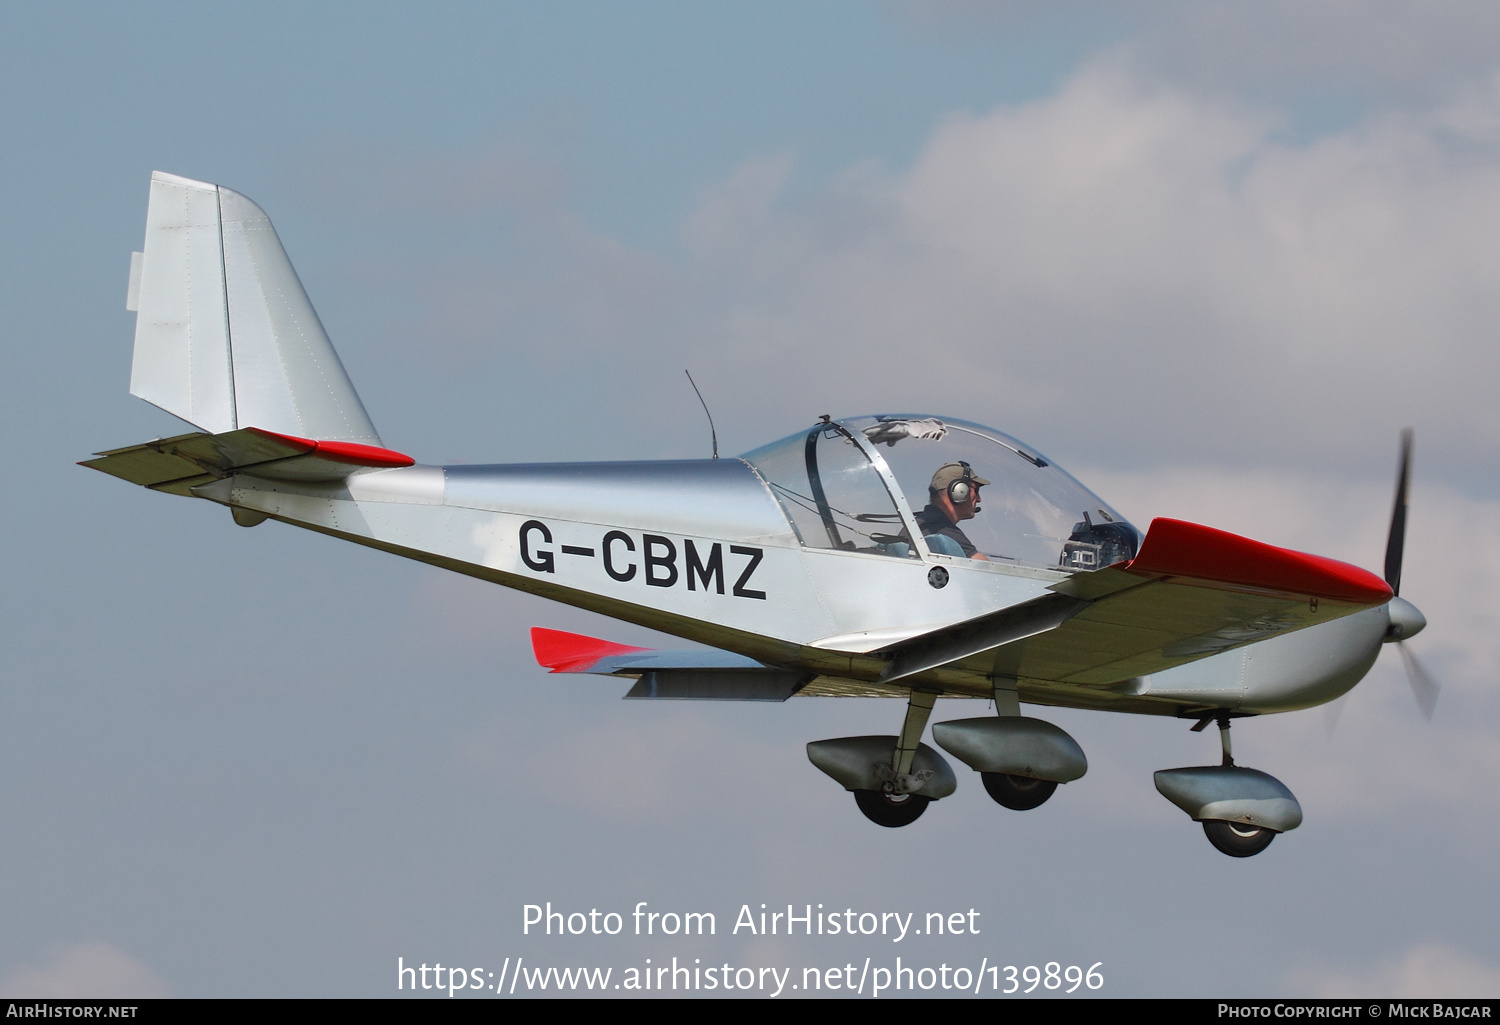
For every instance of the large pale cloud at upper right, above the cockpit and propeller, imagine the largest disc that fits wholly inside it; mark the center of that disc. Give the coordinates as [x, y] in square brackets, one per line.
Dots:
[1127, 260]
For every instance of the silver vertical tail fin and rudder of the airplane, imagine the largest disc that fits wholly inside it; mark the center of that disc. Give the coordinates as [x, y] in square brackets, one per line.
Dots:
[226, 337]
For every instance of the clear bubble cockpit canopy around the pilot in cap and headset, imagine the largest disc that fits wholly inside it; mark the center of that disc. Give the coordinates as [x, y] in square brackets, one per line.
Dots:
[865, 485]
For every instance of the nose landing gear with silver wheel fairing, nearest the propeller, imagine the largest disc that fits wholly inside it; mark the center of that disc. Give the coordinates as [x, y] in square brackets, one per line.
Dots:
[1243, 810]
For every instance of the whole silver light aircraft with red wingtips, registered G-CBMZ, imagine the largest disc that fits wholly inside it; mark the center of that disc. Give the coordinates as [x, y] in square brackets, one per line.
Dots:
[851, 559]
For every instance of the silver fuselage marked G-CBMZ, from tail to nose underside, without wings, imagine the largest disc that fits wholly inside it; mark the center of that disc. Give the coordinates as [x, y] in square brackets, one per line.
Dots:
[703, 550]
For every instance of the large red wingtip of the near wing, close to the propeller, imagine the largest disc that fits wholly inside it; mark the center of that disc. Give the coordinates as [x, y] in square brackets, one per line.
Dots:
[1178, 549]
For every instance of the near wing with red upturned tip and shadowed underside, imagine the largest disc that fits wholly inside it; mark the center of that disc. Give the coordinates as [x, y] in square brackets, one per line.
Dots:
[1192, 592]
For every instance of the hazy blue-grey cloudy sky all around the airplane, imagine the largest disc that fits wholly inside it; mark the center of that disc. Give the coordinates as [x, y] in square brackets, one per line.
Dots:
[1208, 257]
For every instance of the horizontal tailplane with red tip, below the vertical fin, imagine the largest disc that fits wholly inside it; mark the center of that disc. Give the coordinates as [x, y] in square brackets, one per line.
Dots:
[176, 464]
